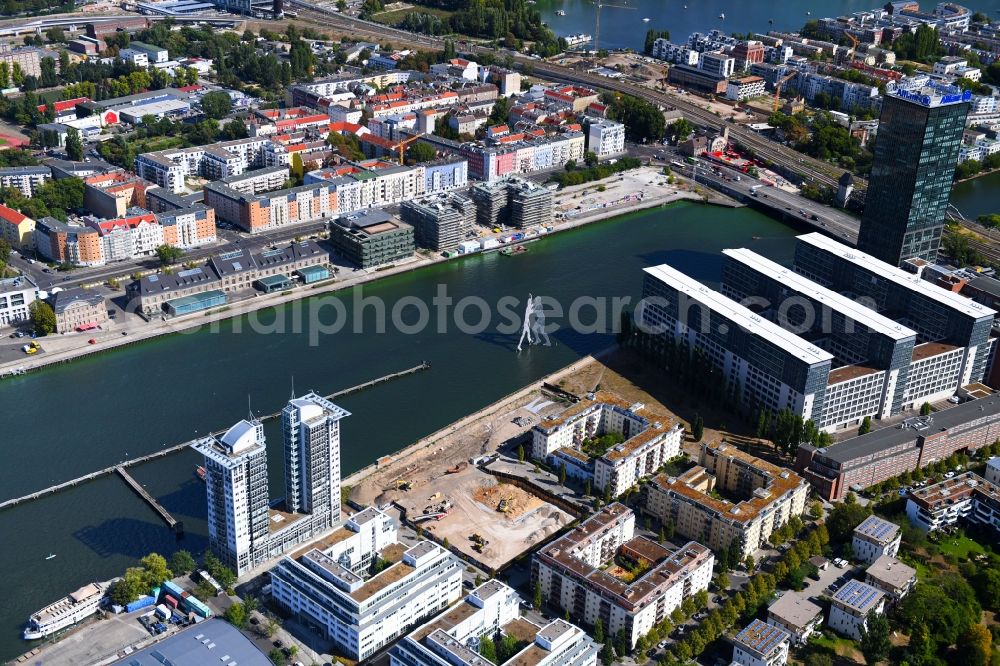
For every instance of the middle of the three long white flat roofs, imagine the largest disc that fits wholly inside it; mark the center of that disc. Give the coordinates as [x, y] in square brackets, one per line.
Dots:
[837, 302]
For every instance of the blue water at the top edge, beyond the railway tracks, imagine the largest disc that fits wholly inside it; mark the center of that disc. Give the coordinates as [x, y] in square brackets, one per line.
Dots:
[625, 28]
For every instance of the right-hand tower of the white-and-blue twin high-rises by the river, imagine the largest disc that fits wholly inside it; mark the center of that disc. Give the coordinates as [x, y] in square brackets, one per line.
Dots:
[311, 429]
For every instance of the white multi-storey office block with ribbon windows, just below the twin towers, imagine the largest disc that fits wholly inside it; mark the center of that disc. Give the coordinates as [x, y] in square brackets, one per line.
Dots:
[330, 584]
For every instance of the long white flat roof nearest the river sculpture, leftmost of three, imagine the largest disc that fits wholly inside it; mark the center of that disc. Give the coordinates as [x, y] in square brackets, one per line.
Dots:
[740, 315]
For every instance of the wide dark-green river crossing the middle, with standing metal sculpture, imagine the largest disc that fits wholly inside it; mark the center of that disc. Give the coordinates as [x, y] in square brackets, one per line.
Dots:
[66, 420]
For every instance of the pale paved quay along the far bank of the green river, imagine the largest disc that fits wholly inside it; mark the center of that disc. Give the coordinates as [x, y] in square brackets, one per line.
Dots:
[58, 349]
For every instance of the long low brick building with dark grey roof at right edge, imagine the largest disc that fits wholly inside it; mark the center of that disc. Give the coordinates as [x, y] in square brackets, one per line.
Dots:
[861, 462]
